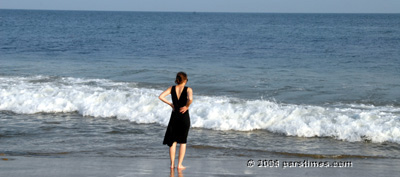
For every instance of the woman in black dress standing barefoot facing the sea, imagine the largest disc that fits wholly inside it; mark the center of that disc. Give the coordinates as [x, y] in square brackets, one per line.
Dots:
[179, 123]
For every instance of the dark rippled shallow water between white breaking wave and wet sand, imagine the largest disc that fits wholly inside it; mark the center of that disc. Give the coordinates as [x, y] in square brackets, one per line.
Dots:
[70, 134]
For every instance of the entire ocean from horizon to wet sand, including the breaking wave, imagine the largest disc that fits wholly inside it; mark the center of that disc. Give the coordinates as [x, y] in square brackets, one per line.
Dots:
[86, 83]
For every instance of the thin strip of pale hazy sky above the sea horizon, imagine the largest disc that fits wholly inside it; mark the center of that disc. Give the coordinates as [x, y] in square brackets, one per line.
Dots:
[307, 6]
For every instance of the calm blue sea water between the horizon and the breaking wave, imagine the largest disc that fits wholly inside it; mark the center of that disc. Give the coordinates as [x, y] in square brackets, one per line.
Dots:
[293, 58]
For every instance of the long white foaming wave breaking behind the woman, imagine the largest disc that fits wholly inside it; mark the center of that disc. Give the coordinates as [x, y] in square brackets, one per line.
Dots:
[125, 101]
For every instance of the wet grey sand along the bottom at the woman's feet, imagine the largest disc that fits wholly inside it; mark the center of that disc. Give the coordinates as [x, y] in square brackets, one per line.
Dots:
[22, 166]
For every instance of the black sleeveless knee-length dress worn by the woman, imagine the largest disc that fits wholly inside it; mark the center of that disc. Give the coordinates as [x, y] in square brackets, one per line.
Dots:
[178, 126]
